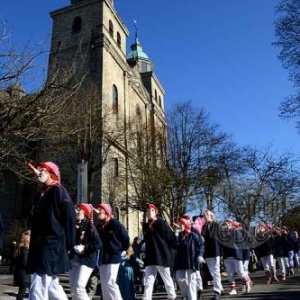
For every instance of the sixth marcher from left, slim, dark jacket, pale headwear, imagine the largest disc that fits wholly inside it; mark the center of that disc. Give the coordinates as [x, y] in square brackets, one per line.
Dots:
[210, 233]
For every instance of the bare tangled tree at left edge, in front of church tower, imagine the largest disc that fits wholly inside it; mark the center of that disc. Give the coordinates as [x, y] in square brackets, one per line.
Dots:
[26, 119]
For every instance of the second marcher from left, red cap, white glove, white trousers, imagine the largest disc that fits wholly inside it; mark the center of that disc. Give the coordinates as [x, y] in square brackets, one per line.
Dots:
[85, 251]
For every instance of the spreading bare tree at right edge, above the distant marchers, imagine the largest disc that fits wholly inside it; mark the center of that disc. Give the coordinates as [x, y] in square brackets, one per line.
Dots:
[265, 190]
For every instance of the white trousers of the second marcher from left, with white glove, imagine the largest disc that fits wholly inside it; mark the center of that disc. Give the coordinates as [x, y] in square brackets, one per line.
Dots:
[79, 276]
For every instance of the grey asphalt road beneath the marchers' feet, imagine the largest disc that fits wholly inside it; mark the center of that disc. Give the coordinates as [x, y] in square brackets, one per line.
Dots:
[287, 290]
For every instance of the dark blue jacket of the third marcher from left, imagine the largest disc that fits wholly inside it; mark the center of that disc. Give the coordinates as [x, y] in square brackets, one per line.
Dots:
[114, 239]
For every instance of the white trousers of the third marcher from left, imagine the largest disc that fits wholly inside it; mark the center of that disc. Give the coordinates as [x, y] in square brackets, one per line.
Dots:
[108, 279]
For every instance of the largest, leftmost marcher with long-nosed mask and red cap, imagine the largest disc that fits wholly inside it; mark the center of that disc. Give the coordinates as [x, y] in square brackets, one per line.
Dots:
[52, 234]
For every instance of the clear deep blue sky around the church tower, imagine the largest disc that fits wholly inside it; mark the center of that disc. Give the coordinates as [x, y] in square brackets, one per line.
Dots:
[216, 53]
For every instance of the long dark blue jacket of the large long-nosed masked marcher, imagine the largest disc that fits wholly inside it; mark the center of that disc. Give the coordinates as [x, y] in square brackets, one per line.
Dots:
[52, 232]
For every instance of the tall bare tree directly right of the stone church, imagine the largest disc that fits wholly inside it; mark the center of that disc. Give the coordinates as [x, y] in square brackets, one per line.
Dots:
[198, 151]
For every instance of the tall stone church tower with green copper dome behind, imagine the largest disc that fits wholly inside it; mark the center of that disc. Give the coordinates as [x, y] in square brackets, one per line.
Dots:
[92, 33]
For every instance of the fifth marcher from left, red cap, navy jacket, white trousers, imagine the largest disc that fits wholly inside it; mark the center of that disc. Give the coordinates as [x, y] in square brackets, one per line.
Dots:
[189, 256]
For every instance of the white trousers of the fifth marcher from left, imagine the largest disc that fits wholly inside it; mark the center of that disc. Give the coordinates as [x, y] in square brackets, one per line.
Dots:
[186, 280]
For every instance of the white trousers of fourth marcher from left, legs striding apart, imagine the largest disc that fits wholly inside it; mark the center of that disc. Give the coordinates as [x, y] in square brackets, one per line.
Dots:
[150, 275]
